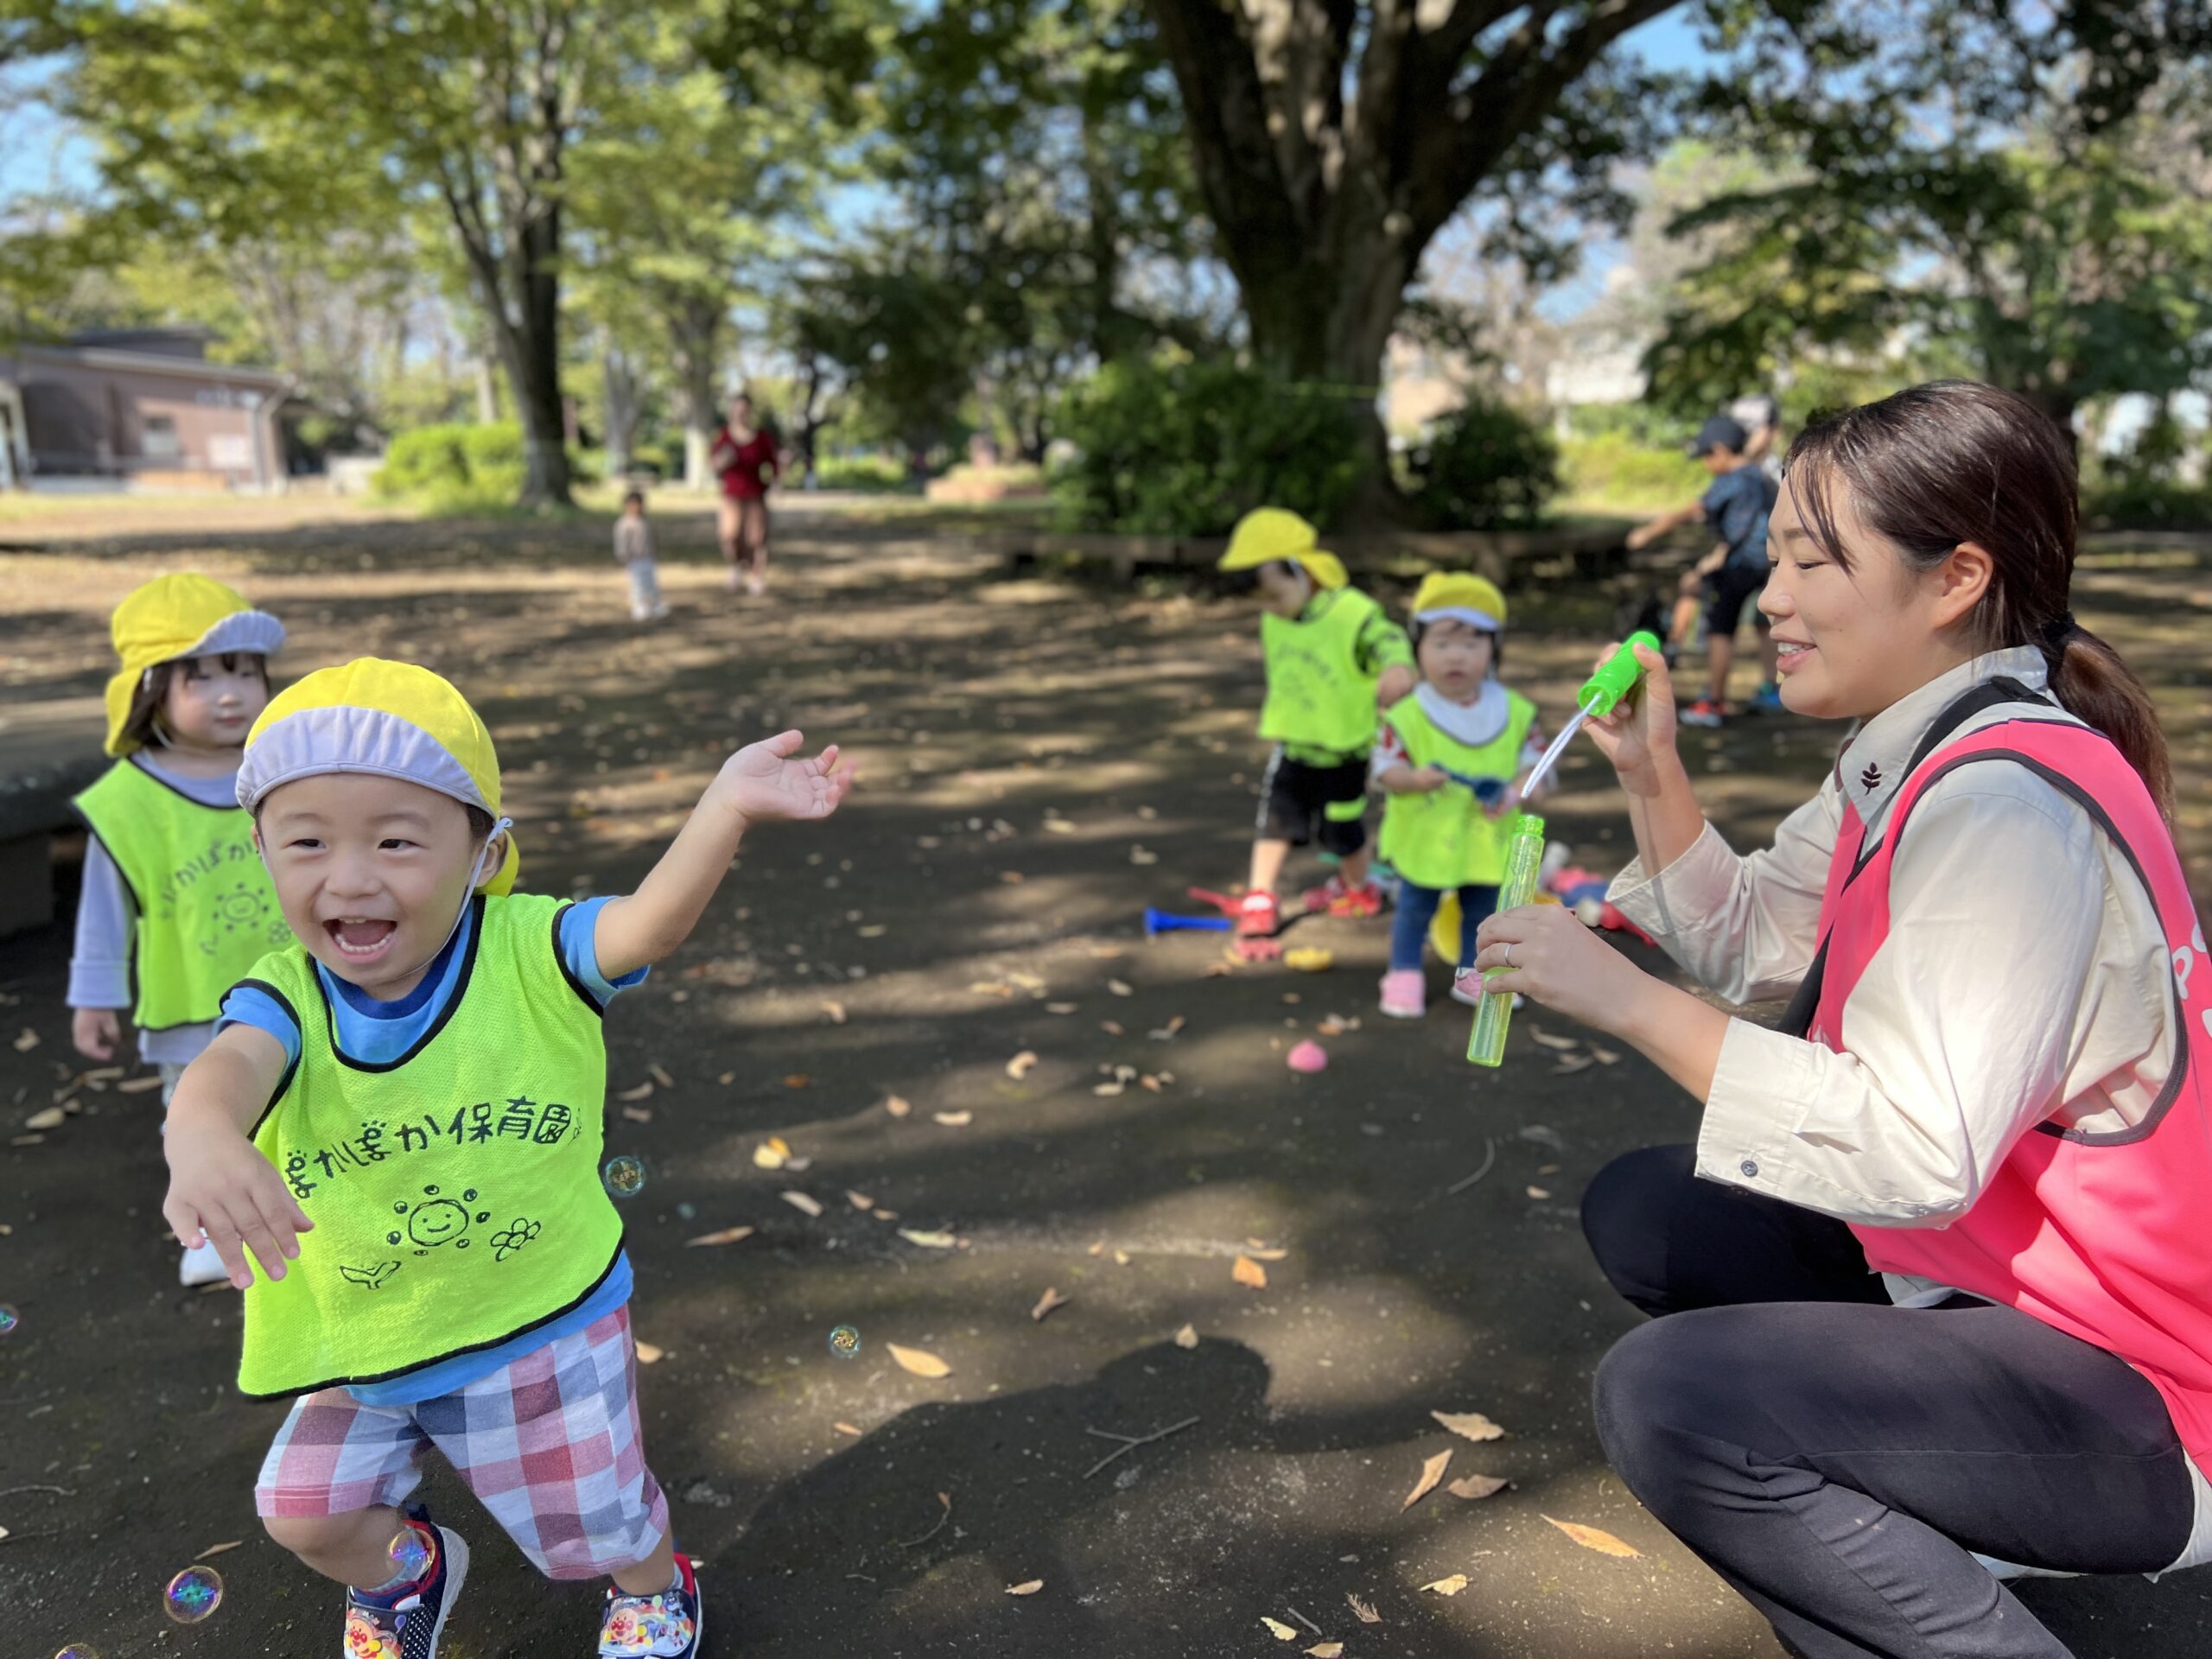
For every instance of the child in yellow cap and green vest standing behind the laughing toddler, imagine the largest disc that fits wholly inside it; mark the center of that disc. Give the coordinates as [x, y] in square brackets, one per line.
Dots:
[176, 906]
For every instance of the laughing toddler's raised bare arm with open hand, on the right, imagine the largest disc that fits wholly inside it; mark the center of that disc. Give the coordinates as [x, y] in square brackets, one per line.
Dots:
[758, 784]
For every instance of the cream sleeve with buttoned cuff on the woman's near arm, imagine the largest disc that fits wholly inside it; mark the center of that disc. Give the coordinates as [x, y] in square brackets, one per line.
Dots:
[1959, 1032]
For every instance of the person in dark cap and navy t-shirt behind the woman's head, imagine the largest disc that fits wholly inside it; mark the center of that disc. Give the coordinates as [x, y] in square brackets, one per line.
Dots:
[1735, 572]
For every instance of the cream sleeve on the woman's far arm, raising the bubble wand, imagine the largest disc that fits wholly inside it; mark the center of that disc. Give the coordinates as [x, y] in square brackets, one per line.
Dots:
[1746, 928]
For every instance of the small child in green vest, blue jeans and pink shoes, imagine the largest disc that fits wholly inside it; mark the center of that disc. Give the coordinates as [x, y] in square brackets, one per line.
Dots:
[1448, 760]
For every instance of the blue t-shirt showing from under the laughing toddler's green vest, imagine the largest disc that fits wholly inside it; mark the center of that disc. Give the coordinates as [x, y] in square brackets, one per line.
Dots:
[377, 1032]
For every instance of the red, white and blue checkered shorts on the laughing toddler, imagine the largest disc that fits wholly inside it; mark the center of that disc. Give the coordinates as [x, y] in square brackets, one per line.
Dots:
[550, 1446]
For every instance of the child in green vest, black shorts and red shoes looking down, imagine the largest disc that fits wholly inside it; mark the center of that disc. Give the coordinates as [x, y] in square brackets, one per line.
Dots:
[1333, 658]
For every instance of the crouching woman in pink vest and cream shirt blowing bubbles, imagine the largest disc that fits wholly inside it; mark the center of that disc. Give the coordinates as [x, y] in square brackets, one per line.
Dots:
[1937, 1280]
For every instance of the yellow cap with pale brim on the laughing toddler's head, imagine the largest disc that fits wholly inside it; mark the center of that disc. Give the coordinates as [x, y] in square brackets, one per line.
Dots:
[386, 718]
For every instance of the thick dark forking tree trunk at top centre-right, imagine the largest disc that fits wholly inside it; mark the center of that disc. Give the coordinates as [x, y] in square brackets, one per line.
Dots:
[1335, 138]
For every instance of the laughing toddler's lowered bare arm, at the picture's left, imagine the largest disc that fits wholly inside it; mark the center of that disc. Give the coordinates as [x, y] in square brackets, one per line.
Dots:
[222, 1189]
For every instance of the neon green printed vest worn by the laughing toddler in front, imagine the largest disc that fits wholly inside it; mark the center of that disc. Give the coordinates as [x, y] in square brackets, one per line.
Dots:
[455, 1191]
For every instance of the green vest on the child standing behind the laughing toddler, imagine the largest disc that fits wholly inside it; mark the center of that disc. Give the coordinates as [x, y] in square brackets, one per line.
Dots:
[205, 904]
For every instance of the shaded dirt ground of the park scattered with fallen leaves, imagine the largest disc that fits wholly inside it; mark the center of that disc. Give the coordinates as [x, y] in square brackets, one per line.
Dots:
[1041, 762]
